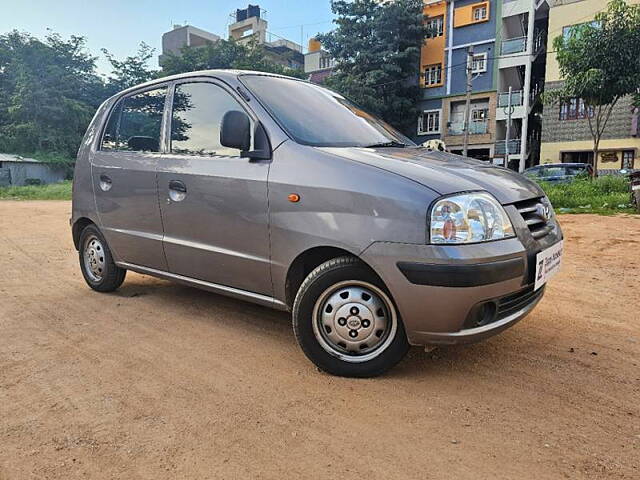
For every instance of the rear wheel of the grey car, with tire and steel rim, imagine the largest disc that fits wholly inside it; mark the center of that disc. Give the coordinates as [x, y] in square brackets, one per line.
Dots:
[96, 262]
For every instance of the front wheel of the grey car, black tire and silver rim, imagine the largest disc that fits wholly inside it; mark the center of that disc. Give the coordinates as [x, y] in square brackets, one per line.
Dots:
[345, 321]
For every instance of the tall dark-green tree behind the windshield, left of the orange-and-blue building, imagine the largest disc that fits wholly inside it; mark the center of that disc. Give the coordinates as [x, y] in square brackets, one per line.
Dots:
[376, 46]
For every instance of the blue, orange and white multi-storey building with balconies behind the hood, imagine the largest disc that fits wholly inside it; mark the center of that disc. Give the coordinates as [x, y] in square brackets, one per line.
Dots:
[508, 42]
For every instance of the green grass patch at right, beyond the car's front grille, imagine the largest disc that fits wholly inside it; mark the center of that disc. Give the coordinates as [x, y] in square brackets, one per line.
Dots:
[604, 195]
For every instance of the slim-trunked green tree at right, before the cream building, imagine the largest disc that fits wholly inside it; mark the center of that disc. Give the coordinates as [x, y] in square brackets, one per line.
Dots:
[600, 62]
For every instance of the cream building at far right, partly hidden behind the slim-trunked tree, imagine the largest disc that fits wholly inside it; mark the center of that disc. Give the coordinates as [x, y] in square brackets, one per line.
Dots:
[566, 136]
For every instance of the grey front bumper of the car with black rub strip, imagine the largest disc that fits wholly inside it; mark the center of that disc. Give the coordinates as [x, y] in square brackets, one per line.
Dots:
[439, 288]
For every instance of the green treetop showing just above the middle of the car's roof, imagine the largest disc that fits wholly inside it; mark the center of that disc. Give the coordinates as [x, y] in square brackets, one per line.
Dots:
[223, 54]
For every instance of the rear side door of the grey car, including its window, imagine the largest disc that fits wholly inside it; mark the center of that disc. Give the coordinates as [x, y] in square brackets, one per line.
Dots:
[123, 170]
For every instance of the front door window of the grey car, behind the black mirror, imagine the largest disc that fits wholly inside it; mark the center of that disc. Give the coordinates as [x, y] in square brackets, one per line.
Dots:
[196, 119]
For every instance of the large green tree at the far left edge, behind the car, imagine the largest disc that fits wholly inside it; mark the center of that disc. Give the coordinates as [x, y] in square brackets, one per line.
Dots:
[48, 93]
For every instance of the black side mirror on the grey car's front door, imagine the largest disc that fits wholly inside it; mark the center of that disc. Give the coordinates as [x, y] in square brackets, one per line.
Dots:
[235, 132]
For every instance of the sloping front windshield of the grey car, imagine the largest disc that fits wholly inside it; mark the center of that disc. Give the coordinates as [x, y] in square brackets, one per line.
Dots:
[315, 116]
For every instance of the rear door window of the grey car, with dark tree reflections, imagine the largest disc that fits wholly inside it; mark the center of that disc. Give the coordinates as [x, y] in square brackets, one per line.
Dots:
[135, 122]
